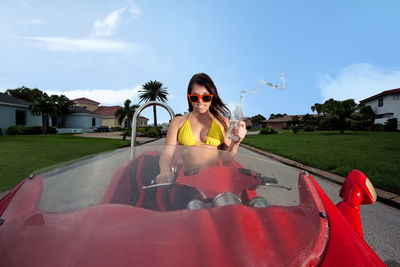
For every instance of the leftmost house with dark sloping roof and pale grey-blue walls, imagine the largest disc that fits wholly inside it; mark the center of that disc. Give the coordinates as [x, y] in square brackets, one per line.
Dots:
[15, 111]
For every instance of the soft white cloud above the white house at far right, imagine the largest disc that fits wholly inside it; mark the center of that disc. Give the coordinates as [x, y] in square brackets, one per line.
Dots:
[358, 81]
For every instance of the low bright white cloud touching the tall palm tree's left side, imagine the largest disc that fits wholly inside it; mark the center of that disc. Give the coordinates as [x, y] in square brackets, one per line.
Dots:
[104, 96]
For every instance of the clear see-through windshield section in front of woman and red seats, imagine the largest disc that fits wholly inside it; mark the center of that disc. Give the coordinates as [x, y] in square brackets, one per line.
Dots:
[200, 177]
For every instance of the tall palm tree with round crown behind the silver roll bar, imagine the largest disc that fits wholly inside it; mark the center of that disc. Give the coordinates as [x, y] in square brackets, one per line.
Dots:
[153, 91]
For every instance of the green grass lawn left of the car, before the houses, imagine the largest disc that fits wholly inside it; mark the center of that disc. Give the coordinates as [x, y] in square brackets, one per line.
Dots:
[21, 155]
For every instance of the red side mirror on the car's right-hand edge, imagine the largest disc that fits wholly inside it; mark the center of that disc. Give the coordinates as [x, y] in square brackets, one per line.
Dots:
[356, 190]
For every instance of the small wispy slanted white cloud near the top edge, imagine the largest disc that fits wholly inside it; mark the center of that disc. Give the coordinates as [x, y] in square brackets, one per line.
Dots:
[107, 27]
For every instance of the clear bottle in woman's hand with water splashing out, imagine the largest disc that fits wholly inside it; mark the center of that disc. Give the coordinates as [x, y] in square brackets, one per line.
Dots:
[237, 114]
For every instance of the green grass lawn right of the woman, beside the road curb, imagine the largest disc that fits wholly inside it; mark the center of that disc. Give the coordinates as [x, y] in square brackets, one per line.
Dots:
[377, 154]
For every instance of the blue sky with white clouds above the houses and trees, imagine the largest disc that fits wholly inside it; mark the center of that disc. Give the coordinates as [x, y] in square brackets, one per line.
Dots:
[105, 50]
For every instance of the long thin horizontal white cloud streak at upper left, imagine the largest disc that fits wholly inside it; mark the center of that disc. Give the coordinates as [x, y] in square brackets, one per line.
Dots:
[86, 45]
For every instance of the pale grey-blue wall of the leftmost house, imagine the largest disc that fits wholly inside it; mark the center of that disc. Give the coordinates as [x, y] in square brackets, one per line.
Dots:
[7, 117]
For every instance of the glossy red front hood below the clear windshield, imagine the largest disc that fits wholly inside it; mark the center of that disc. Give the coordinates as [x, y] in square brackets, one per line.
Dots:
[122, 235]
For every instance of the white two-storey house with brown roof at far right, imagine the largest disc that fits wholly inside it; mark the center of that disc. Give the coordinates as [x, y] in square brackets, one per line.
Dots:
[386, 105]
